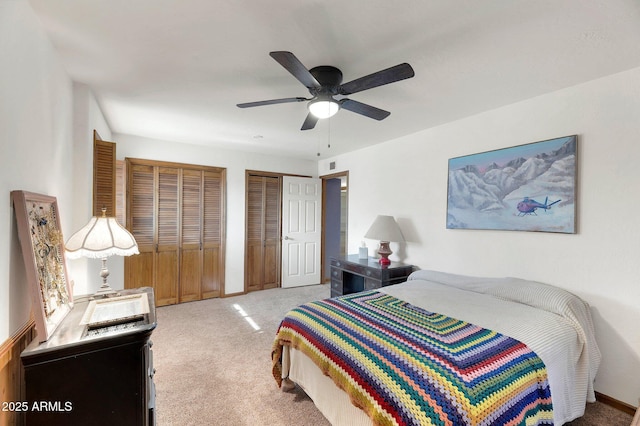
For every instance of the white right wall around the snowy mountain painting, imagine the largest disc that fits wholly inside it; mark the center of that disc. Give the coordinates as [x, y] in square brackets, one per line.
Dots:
[601, 263]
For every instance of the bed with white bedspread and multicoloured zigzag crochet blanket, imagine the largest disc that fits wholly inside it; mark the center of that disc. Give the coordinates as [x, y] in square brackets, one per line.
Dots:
[443, 349]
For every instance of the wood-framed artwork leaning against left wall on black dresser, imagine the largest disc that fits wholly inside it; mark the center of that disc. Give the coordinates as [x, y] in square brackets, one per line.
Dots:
[42, 245]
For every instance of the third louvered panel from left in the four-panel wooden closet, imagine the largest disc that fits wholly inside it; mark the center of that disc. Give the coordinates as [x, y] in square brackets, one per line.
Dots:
[190, 259]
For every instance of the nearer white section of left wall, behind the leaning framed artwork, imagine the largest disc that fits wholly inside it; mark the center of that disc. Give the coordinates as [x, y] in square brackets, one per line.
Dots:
[36, 144]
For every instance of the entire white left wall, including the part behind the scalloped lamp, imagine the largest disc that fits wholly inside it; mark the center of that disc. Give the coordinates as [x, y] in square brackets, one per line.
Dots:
[46, 146]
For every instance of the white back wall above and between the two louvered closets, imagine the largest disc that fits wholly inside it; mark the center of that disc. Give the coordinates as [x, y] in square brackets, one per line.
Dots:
[236, 163]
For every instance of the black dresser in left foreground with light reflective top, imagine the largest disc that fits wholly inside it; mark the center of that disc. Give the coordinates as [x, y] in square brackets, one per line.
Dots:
[99, 374]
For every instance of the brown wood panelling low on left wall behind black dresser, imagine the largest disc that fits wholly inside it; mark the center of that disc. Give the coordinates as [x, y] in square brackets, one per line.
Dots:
[12, 372]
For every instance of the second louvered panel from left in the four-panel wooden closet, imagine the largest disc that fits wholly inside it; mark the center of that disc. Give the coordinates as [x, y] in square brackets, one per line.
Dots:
[166, 283]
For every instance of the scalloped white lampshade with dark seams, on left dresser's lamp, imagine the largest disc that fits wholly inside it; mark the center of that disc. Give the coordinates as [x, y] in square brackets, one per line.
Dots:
[100, 238]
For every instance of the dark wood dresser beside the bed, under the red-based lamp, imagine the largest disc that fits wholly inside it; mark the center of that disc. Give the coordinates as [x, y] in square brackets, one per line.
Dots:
[349, 274]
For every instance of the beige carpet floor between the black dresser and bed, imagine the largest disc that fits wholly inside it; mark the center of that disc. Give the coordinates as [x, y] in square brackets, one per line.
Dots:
[214, 368]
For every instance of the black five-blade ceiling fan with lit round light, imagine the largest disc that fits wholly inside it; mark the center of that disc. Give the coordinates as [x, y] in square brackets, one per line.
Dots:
[325, 83]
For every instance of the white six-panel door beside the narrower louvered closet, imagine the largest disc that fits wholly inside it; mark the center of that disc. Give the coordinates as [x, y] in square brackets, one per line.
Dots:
[301, 236]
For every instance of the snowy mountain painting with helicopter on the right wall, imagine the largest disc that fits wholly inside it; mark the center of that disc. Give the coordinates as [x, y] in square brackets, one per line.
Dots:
[529, 187]
